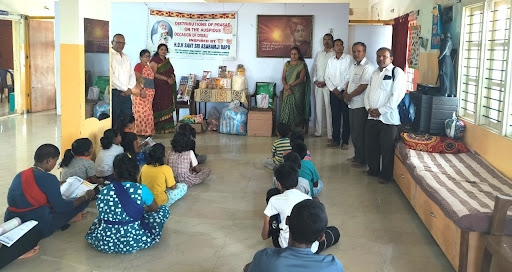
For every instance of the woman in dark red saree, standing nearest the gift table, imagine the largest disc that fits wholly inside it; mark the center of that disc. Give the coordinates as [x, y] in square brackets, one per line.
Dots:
[165, 90]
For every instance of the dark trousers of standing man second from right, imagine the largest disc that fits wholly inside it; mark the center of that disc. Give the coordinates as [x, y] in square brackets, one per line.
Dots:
[358, 119]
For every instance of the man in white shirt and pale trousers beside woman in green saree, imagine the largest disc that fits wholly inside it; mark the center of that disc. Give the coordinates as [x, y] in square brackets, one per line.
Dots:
[322, 93]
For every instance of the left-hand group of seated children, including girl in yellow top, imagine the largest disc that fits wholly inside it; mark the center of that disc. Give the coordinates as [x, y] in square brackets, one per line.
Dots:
[134, 204]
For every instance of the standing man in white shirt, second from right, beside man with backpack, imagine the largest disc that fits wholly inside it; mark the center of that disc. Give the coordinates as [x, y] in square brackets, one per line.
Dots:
[359, 78]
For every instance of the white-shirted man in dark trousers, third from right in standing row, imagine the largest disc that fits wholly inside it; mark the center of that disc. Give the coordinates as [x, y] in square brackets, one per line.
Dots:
[336, 80]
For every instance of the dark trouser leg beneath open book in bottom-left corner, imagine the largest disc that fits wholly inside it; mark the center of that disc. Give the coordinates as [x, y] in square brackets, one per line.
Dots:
[20, 247]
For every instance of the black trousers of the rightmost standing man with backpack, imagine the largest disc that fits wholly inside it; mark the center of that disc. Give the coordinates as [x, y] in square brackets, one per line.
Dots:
[380, 142]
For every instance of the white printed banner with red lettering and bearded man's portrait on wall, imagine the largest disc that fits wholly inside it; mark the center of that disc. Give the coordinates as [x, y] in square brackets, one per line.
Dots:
[193, 35]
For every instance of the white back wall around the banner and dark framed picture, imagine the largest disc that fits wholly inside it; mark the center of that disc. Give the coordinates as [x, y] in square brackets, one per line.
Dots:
[326, 16]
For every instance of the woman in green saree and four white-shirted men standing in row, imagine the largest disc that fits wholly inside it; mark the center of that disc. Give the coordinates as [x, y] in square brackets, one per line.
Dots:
[349, 91]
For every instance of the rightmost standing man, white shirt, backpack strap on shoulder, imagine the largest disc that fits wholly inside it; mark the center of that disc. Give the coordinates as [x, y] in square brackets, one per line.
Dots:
[385, 91]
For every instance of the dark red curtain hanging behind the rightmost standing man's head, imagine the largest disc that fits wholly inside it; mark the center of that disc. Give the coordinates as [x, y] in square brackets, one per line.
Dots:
[399, 40]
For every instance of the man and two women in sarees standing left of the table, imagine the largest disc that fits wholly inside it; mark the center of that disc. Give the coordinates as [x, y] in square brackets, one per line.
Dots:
[148, 91]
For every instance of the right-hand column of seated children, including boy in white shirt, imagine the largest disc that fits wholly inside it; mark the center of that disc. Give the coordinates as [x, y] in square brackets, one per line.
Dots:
[296, 180]
